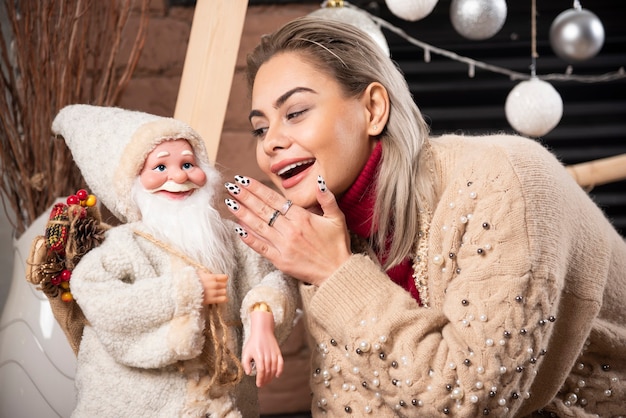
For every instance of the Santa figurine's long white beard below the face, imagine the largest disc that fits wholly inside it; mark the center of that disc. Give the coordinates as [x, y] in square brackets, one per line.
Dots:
[191, 225]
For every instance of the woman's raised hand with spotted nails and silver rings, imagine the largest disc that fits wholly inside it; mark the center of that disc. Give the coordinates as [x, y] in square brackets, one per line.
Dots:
[304, 245]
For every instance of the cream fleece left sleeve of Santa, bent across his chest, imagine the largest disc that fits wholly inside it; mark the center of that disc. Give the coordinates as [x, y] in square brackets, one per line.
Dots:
[145, 311]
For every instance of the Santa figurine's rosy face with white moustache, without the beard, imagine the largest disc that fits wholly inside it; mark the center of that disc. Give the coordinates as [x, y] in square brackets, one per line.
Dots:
[171, 171]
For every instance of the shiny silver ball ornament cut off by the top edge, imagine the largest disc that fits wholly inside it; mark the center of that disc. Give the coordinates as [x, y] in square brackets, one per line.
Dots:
[478, 19]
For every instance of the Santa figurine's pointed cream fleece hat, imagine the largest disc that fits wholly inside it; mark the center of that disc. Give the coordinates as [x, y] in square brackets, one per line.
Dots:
[110, 146]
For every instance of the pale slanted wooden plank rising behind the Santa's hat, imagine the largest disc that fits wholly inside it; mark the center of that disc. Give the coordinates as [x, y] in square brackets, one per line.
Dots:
[209, 67]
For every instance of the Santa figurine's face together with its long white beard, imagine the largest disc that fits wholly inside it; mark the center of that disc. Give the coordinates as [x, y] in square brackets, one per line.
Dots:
[174, 193]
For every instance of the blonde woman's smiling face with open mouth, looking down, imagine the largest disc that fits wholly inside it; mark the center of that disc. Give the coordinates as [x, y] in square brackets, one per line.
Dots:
[306, 128]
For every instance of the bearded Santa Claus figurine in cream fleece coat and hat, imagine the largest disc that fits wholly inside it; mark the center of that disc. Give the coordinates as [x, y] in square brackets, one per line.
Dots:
[171, 295]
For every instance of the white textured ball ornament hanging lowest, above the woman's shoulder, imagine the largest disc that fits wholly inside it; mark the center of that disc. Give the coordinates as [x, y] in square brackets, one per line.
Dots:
[533, 107]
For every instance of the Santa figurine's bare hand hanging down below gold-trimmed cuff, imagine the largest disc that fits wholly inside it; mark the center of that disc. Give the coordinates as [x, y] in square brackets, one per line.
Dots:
[261, 349]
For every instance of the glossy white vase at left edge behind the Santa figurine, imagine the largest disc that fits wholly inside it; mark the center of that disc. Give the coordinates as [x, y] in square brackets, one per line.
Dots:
[37, 365]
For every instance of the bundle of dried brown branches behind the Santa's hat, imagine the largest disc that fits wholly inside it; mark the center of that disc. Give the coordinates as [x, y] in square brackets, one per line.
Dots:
[57, 52]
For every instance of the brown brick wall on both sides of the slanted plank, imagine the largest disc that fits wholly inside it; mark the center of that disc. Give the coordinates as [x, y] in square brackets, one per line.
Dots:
[154, 86]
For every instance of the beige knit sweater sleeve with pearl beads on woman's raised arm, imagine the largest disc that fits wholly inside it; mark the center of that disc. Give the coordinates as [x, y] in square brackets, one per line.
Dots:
[477, 349]
